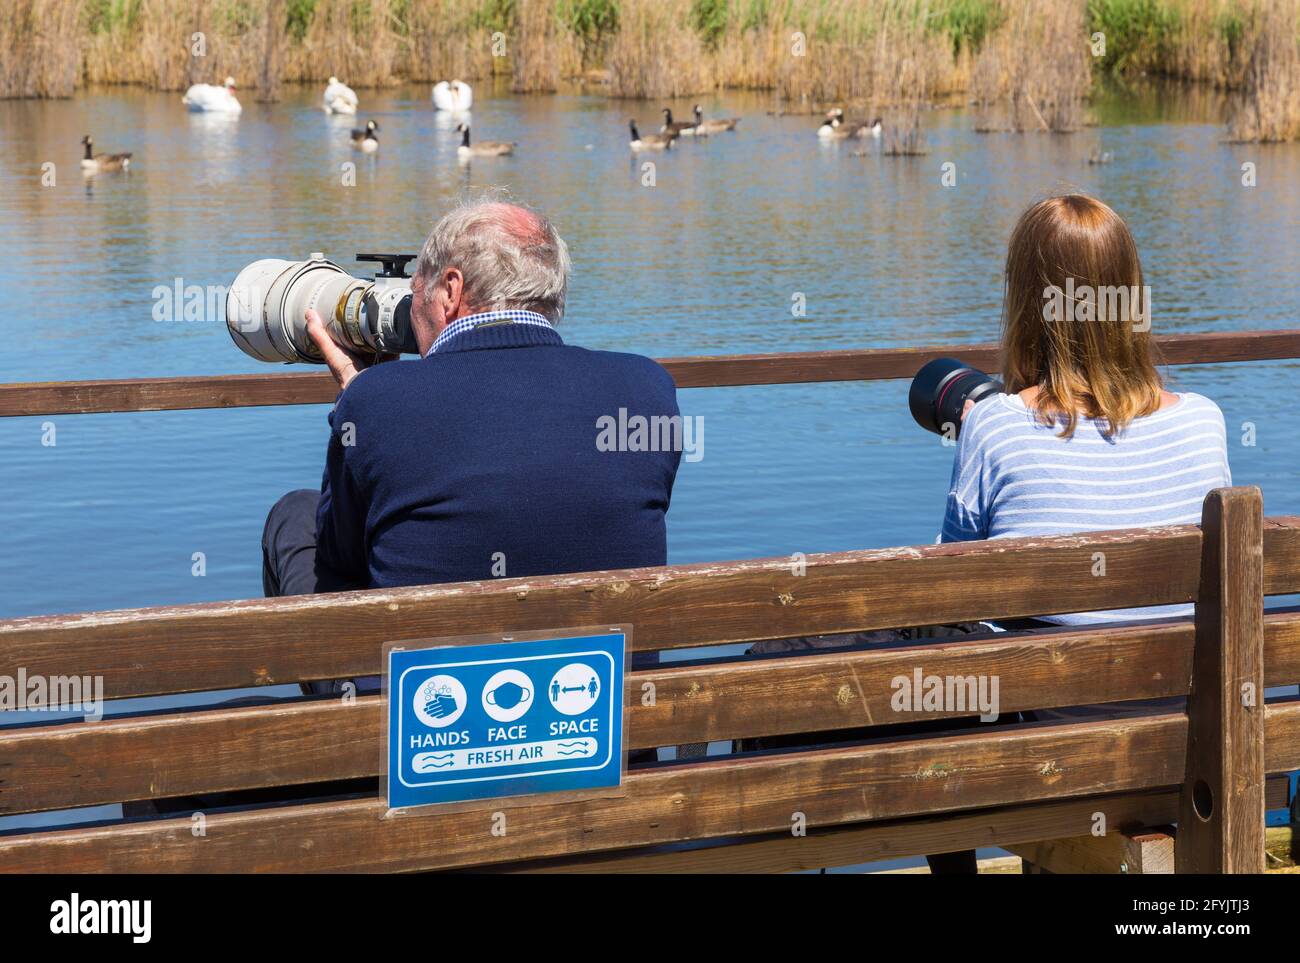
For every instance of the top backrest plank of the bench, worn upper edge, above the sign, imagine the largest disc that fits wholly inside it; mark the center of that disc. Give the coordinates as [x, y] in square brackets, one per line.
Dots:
[228, 645]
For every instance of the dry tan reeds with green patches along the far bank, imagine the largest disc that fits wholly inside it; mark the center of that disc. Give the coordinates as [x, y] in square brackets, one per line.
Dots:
[1032, 59]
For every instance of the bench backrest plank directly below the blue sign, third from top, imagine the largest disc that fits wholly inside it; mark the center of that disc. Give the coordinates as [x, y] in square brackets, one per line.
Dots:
[729, 797]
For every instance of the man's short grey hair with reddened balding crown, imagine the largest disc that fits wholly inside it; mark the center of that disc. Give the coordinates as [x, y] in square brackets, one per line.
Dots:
[510, 257]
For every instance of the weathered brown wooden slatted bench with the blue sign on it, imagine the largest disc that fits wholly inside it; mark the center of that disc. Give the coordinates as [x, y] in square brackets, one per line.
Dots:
[861, 801]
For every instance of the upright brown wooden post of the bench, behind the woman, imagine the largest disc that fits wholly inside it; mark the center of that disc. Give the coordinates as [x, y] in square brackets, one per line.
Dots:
[1221, 810]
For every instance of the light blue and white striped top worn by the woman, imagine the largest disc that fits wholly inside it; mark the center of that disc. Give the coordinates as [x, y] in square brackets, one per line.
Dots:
[1015, 478]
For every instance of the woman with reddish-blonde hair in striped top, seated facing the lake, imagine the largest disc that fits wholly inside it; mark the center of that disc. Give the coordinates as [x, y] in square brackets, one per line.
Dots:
[1085, 437]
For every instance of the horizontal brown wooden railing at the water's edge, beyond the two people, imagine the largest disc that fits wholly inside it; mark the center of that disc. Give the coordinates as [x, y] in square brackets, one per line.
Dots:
[868, 365]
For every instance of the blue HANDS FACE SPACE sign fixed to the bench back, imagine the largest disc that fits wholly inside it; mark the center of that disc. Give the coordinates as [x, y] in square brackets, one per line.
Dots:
[505, 719]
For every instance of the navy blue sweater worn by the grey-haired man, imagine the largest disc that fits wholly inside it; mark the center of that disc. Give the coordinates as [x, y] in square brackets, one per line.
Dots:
[486, 454]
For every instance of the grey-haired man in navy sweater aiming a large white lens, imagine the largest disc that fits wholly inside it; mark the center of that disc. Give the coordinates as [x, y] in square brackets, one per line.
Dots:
[480, 459]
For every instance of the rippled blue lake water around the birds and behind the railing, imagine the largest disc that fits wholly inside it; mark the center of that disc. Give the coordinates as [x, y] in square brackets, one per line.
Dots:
[705, 262]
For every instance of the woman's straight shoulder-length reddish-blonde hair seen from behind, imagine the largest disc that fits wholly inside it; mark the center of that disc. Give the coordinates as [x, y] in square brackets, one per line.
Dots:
[1077, 315]
